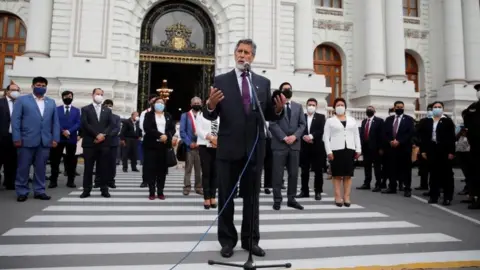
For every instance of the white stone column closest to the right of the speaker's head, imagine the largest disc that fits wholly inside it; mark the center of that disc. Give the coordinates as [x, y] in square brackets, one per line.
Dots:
[304, 36]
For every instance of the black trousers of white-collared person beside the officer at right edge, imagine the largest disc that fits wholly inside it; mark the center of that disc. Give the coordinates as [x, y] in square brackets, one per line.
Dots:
[441, 172]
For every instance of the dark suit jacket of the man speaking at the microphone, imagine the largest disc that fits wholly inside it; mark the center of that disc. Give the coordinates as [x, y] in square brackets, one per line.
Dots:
[237, 133]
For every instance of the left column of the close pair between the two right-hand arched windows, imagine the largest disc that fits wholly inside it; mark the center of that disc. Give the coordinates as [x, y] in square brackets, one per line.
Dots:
[374, 39]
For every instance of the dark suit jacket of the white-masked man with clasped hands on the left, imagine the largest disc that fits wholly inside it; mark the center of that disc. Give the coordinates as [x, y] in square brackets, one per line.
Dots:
[91, 126]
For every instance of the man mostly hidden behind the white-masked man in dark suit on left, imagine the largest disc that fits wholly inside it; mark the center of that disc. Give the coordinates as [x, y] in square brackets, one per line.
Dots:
[114, 144]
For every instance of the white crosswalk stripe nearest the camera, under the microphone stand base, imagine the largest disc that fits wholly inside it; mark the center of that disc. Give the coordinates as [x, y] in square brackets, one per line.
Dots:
[332, 262]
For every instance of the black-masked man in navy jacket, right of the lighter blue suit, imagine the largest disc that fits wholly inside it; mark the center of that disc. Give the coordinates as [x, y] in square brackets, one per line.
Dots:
[69, 117]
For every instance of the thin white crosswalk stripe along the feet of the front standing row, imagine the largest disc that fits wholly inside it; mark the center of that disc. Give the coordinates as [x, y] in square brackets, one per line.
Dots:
[184, 199]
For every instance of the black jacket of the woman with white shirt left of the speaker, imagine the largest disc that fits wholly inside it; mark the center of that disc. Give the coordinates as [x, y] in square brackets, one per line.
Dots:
[151, 137]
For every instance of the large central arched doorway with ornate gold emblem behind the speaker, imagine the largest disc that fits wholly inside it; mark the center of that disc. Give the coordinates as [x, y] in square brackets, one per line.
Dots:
[177, 45]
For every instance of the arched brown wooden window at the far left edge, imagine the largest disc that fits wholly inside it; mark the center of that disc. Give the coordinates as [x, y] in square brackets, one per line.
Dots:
[12, 42]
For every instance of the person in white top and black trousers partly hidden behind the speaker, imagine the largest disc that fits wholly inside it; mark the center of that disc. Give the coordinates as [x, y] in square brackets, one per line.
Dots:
[207, 132]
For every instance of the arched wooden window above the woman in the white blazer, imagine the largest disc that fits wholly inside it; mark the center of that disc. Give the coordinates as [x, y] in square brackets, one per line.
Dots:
[327, 61]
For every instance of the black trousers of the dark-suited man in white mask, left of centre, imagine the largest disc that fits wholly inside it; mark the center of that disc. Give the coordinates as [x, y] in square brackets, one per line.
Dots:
[97, 156]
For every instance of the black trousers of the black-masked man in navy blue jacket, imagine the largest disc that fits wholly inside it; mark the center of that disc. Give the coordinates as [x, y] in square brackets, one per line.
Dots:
[69, 161]
